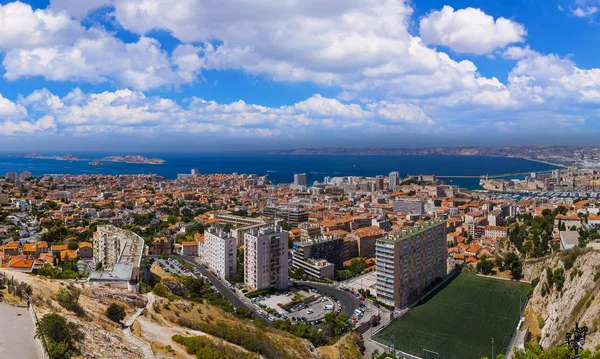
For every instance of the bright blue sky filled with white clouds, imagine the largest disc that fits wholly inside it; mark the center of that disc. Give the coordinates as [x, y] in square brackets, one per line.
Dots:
[201, 75]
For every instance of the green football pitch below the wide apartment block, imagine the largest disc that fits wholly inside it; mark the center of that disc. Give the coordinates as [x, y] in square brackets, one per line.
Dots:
[460, 320]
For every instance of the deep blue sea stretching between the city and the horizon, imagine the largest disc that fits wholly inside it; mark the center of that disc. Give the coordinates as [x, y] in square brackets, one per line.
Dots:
[280, 168]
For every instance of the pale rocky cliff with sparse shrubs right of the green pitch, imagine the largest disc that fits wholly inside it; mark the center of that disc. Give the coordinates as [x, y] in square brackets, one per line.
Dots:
[567, 292]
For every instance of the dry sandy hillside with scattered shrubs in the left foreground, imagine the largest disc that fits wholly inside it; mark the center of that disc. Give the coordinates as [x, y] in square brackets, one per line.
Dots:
[152, 334]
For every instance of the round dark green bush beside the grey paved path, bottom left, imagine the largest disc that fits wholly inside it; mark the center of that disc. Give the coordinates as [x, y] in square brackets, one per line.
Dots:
[59, 336]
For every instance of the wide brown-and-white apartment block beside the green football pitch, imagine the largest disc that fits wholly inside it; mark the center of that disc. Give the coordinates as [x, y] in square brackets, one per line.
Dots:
[410, 261]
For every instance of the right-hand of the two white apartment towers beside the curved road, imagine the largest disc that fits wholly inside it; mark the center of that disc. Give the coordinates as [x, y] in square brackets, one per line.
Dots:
[265, 258]
